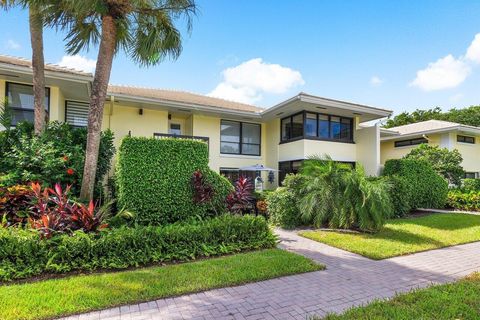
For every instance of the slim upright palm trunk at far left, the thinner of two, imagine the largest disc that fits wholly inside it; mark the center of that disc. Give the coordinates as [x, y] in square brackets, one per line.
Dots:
[38, 65]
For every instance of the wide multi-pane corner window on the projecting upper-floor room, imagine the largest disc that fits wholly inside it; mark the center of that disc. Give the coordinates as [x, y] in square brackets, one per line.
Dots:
[312, 125]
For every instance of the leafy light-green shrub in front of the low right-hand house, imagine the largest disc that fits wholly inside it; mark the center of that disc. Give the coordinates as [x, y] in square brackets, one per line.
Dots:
[447, 163]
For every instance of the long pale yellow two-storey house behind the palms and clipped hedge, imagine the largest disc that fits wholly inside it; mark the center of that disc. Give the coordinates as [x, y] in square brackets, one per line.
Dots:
[280, 137]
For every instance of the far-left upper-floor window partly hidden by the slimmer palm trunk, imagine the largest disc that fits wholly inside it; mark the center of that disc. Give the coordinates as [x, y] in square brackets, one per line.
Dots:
[20, 98]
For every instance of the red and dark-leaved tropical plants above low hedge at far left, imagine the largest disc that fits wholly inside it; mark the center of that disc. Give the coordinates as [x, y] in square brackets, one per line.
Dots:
[49, 210]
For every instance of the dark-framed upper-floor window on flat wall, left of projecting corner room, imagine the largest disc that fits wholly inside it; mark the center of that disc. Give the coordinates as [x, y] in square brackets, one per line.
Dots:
[240, 138]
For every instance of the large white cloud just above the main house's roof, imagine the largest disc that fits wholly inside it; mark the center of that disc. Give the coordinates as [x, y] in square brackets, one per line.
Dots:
[249, 80]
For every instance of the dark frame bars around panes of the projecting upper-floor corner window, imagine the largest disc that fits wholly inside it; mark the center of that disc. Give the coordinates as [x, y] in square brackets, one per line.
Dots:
[349, 139]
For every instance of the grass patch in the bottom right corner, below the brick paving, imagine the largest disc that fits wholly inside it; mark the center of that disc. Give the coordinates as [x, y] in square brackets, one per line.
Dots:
[458, 300]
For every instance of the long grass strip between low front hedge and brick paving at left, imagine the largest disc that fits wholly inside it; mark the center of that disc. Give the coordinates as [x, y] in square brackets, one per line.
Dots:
[82, 293]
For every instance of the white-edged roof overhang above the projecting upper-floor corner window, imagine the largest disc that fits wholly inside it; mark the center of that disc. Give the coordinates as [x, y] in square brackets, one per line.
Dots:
[312, 103]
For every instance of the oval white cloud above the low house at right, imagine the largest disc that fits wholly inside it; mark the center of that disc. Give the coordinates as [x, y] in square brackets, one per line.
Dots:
[445, 73]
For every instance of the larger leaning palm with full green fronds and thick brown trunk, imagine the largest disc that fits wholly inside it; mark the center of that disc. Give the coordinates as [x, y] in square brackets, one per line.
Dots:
[145, 30]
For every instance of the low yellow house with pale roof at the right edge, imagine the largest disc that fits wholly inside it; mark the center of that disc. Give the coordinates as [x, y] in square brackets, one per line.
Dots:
[398, 141]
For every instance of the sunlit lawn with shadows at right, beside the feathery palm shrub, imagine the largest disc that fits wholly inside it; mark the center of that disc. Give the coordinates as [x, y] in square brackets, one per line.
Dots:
[404, 236]
